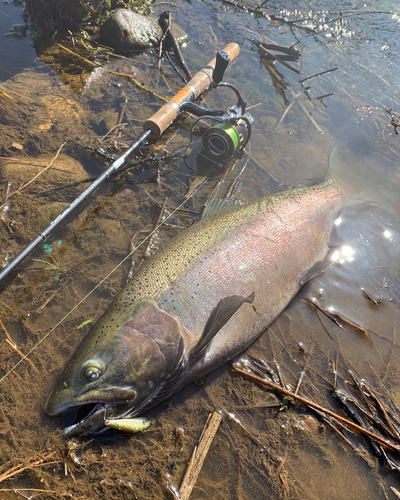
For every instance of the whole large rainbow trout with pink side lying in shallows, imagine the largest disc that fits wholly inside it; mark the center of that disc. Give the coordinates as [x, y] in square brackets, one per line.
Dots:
[200, 301]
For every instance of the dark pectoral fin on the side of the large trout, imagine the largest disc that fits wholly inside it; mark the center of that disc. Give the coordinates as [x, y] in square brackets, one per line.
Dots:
[219, 316]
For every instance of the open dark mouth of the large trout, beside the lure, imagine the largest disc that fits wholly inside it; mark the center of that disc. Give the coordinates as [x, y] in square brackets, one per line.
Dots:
[90, 420]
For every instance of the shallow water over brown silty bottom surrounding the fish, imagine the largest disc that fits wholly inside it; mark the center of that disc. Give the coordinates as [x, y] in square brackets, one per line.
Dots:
[290, 455]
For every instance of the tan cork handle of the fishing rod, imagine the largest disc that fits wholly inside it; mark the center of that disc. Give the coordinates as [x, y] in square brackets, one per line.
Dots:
[163, 118]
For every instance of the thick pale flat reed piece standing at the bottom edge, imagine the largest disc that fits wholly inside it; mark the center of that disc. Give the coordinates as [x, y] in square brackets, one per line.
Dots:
[199, 455]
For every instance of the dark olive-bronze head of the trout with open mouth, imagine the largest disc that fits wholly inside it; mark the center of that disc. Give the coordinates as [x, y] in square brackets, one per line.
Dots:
[132, 357]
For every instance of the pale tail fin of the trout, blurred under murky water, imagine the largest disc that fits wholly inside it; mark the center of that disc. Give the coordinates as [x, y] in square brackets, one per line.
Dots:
[352, 176]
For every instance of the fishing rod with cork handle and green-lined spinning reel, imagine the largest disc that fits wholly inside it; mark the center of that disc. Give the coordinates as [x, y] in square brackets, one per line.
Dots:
[209, 77]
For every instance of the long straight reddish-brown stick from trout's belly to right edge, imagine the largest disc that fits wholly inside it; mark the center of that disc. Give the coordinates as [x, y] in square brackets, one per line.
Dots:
[315, 406]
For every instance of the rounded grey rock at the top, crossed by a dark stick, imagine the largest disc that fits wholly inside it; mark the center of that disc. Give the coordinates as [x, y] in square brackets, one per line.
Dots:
[127, 31]
